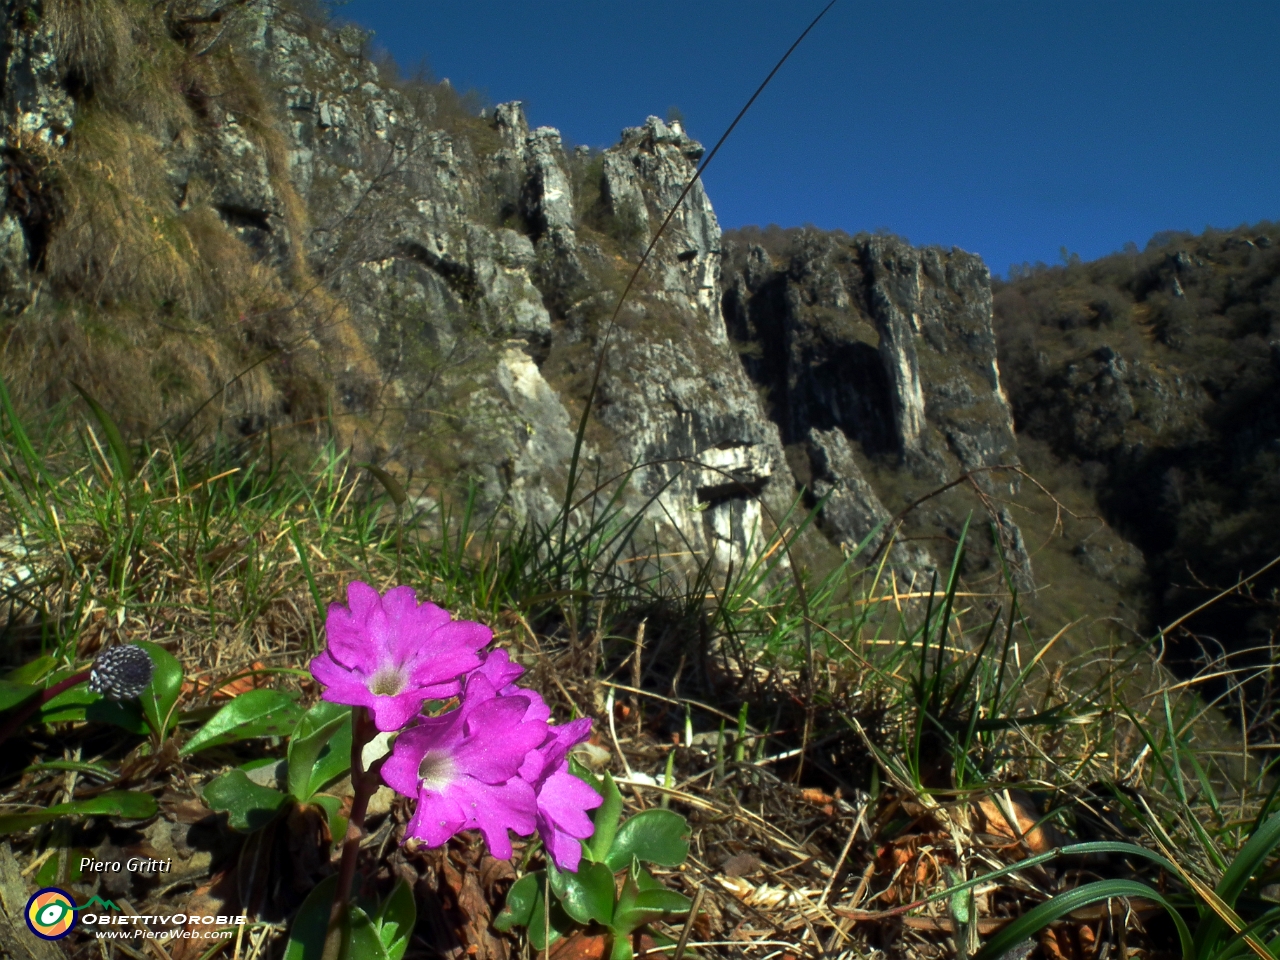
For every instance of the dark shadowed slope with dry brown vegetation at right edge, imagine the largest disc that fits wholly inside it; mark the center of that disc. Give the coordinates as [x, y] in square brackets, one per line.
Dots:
[1154, 374]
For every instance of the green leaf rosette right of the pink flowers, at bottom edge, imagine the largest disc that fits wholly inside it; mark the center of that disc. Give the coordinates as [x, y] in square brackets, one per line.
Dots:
[552, 903]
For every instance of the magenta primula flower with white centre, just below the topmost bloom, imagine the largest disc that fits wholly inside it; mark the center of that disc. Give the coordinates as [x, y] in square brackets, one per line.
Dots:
[463, 769]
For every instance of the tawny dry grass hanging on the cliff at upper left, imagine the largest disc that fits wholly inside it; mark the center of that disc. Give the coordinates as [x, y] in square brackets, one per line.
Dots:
[143, 294]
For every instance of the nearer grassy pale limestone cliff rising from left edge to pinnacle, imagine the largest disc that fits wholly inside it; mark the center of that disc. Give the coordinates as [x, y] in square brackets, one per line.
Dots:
[429, 286]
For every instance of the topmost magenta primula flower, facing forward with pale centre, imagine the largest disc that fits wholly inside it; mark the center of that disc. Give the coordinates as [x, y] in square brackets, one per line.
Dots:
[392, 653]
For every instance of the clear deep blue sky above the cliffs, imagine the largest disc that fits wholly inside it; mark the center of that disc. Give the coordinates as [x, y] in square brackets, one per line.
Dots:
[1009, 130]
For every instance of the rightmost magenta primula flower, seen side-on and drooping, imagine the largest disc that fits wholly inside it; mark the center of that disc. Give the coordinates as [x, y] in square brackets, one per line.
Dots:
[563, 798]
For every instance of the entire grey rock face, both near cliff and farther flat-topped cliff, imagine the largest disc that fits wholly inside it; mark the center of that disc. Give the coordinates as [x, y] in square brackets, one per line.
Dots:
[442, 286]
